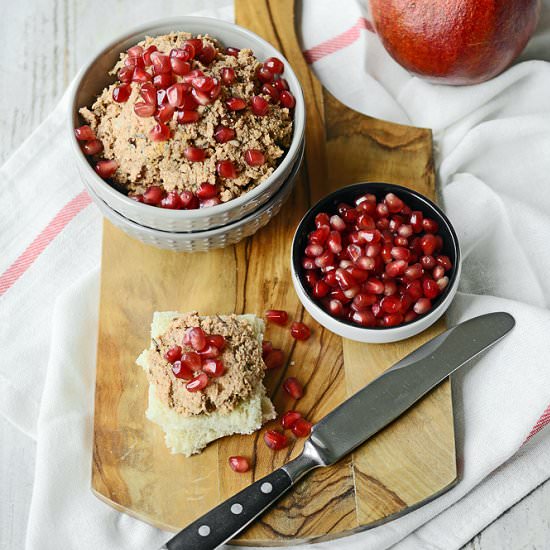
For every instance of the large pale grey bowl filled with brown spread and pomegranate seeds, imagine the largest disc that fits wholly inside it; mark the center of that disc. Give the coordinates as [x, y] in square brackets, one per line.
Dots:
[188, 124]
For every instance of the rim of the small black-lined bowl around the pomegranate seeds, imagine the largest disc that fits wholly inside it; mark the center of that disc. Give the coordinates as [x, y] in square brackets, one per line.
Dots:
[361, 188]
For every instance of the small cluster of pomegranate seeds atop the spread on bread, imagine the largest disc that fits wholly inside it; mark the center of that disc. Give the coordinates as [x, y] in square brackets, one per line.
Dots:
[197, 359]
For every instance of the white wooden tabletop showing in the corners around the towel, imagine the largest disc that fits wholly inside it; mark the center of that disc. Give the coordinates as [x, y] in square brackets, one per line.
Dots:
[44, 45]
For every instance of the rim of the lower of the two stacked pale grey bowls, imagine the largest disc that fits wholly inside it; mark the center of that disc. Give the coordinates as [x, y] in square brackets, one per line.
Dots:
[286, 187]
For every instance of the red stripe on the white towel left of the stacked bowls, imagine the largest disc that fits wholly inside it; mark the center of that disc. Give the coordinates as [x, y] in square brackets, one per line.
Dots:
[45, 237]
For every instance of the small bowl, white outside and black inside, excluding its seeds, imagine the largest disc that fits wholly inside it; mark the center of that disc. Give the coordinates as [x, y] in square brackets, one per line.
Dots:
[376, 335]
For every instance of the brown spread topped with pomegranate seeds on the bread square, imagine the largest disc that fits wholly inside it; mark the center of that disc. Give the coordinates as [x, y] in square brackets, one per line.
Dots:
[205, 364]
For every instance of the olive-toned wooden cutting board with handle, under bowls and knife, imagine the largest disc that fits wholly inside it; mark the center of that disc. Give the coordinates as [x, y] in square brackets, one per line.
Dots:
[407, 464]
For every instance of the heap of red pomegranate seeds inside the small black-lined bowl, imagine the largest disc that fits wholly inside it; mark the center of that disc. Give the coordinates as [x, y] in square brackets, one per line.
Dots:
[376, 263]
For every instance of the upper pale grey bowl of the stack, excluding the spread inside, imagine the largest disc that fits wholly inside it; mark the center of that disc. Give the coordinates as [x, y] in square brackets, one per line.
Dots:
[94, 77]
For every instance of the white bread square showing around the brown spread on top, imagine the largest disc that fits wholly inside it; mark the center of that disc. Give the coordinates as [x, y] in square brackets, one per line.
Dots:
[188, 435]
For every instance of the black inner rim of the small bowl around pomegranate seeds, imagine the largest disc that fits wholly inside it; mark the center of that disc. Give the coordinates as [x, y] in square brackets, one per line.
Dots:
[348, 194]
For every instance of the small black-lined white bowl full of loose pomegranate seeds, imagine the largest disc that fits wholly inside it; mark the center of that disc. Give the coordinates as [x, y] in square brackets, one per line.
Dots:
[375, 262]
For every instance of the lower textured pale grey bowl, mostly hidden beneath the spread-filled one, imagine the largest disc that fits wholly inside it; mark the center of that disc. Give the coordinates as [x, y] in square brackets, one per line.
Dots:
[202, 241]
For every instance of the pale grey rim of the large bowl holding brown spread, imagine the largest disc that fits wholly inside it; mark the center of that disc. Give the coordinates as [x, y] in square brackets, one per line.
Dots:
[220, 209]
